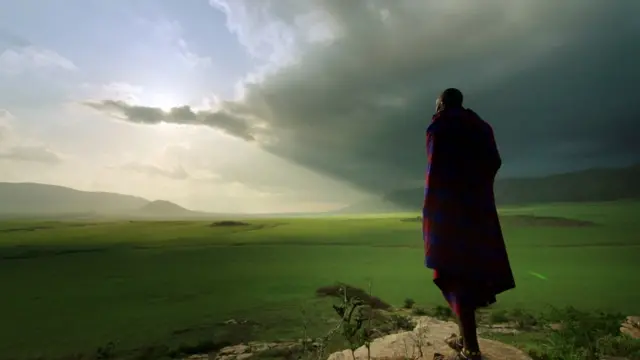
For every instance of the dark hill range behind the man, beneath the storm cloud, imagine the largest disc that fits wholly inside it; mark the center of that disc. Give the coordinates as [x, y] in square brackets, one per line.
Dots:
[580, 186]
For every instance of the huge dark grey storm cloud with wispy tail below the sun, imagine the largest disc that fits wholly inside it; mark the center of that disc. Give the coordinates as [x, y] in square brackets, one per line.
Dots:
[556, 79]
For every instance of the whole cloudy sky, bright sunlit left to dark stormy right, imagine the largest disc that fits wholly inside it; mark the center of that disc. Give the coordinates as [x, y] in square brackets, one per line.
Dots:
[283, 105]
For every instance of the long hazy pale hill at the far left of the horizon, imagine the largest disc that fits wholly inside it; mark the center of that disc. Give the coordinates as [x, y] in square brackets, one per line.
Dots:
[43, 199]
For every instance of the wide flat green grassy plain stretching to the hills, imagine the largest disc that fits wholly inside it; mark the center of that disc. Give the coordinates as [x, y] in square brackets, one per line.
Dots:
[70, 287]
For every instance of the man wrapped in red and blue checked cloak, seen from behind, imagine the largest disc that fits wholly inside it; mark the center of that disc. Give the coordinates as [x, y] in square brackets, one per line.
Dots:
[461, 230]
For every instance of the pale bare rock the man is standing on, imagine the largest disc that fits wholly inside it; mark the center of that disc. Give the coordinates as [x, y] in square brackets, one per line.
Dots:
[423, 341]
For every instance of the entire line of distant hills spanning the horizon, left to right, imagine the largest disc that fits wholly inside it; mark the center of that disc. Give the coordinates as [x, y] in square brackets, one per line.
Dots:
[591, 185]
